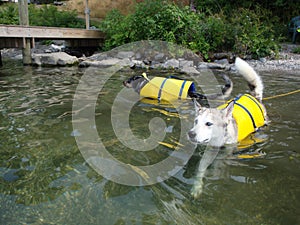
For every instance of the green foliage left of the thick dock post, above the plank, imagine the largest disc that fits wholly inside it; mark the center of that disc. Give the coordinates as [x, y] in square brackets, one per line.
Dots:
[9, 14]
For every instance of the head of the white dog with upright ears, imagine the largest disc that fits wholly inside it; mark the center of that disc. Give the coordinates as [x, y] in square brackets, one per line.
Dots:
[211, 125]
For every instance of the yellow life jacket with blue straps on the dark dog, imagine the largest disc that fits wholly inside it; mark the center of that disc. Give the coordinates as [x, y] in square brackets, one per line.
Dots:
[165, 88]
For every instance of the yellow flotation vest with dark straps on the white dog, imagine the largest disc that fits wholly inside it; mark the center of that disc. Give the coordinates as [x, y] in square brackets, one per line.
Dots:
[248, 113]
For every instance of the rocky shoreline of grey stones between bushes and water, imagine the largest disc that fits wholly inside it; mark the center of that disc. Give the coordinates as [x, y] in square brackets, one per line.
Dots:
[49, 56]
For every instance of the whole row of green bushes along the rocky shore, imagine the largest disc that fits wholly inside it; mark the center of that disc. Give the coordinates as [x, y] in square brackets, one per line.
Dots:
[245, 31]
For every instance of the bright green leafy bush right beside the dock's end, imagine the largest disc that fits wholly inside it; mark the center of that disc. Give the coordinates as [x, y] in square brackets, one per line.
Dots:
[151, 20]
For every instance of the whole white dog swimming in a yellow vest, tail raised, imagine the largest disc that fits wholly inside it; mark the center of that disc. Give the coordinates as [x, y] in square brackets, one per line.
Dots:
[230, 123]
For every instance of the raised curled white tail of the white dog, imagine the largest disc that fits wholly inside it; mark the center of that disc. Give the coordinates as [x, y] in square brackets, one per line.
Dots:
[253, 79]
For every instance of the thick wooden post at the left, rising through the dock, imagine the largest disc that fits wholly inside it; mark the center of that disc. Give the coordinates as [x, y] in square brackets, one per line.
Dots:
[24, 20]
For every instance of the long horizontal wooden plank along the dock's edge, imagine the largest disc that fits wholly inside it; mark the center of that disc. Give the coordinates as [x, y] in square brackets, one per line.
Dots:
[49, 32]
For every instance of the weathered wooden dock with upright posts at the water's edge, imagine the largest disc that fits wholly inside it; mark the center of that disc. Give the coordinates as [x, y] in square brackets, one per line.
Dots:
[24, 36]
